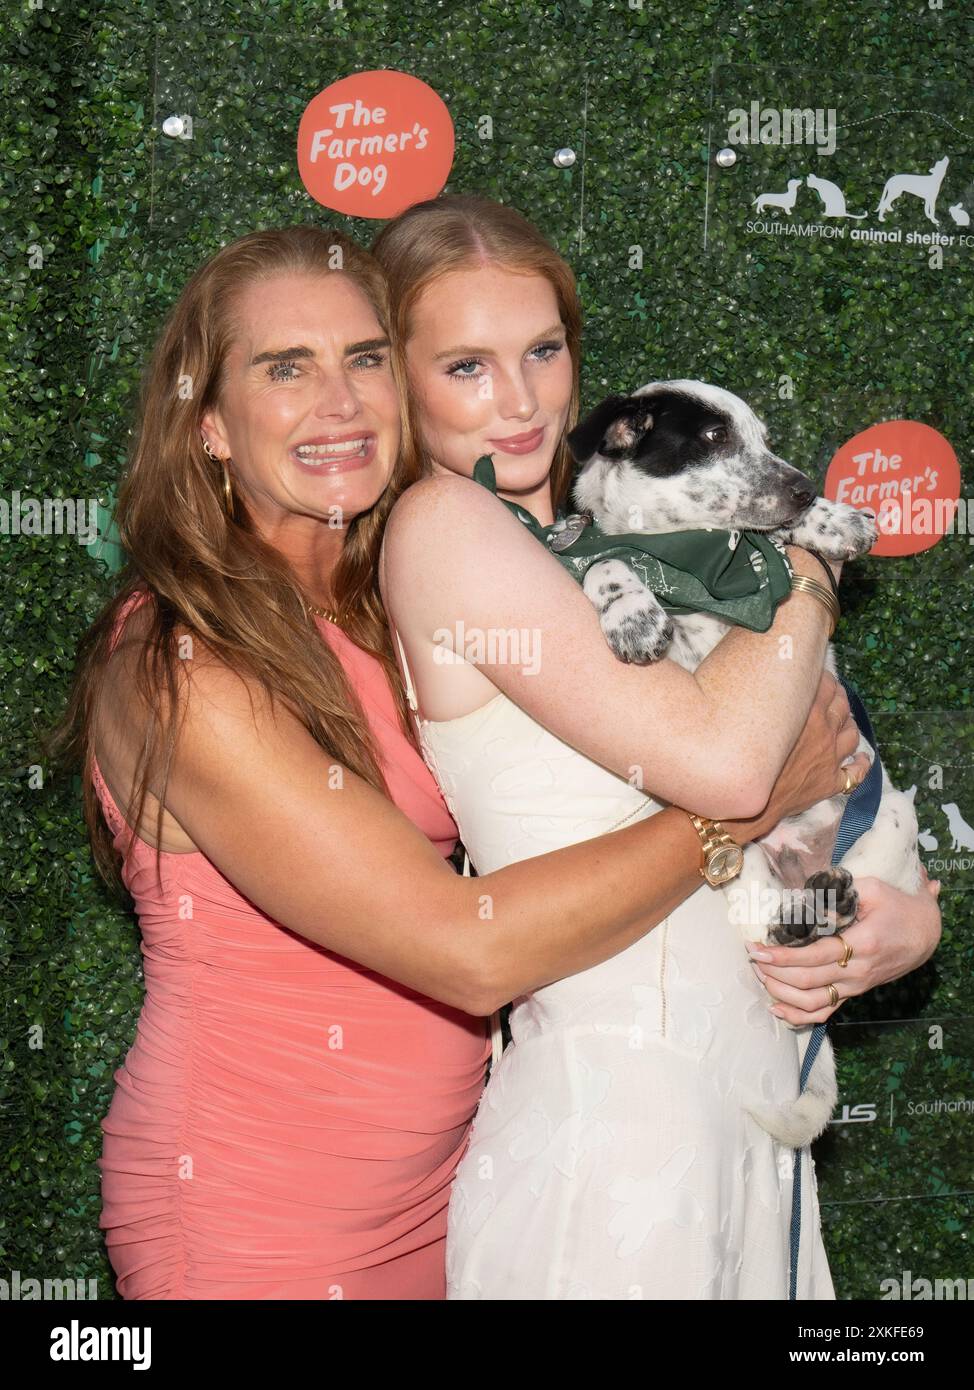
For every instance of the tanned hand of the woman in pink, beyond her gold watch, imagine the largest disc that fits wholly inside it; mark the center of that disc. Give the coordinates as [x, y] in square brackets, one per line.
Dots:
[812, 771]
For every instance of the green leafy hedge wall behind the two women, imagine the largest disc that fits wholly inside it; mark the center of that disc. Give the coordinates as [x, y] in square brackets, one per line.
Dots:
[102, 222]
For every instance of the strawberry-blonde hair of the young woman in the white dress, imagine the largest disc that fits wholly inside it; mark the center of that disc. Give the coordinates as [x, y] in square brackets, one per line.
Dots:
[462, 231]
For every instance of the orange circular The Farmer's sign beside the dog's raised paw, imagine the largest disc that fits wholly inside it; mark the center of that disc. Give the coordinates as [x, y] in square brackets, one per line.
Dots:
[908, 475]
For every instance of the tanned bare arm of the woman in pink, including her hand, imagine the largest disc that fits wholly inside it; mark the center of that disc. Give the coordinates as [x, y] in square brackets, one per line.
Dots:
[324, 854]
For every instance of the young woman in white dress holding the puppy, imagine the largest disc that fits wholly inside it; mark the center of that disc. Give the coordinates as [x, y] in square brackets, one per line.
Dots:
[612, 1156]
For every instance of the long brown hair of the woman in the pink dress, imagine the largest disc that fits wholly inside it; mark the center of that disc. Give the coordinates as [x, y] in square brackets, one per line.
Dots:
[215, 576]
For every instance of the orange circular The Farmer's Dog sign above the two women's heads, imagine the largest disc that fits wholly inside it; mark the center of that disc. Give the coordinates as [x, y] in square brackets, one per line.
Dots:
[374, 144]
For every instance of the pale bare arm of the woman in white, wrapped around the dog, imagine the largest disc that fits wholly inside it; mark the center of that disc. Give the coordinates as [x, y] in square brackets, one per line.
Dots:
[715, 740]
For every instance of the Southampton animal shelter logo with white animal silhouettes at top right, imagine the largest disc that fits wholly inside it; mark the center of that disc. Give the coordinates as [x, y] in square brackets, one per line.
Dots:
[925, 201]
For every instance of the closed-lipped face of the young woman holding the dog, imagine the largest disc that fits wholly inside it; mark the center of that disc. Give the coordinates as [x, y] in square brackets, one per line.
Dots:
[491, 373]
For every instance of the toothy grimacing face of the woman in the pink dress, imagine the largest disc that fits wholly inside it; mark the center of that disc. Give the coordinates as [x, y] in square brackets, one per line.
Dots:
[309, 411]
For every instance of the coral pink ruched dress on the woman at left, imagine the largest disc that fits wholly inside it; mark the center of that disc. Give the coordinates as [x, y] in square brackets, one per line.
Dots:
[287, 1124]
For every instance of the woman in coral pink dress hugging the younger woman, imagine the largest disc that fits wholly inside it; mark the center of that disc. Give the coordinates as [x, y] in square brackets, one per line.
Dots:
[312, 1046]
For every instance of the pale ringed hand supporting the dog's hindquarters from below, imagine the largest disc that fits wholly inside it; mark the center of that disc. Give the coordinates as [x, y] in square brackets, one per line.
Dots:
[894, 933]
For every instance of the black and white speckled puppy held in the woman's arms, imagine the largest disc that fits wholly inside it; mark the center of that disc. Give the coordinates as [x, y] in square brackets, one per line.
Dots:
[682, 457]
